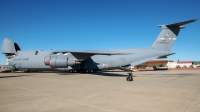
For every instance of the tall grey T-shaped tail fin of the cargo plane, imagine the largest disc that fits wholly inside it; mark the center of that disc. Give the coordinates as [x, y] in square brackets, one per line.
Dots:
[168, 35]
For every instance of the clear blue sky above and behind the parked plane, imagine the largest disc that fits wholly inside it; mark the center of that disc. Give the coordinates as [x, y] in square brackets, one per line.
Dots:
[98, 24]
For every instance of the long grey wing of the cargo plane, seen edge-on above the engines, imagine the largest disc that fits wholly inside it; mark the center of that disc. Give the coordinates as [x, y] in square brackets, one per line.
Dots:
[84, 54]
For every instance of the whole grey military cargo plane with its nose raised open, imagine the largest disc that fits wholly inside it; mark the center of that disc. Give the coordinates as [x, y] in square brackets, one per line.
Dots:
[91, 60]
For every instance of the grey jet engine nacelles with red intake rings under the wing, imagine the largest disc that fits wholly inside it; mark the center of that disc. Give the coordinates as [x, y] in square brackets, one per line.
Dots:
[60, 61]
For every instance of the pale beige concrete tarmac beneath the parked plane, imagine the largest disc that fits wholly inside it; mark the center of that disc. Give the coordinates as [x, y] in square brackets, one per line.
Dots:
[151, 91]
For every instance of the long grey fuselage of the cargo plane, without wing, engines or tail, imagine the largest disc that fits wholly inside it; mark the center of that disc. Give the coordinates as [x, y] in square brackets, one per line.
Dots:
[34, 60]
